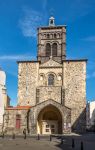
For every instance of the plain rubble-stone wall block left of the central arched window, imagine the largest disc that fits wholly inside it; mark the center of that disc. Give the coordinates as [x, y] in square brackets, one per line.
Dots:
[27, 82]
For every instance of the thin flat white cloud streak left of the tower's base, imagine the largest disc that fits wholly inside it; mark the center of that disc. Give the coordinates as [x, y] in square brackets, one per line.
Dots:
[16, 57]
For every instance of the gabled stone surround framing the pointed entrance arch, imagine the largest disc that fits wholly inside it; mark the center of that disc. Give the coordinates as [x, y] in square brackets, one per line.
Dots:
[35, 111]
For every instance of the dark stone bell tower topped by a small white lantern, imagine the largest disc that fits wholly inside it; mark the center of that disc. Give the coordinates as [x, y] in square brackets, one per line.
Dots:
[52, 42]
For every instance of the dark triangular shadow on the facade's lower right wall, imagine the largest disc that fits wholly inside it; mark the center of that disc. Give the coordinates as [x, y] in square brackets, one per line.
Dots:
[79, 125]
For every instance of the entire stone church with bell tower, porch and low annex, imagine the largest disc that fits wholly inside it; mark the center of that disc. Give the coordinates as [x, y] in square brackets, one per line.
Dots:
[51, 90]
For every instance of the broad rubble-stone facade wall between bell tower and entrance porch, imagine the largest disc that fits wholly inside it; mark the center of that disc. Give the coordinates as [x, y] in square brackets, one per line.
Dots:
[70, 91]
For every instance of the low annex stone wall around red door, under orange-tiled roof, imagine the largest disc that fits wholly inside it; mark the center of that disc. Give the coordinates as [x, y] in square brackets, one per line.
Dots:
[10, 121]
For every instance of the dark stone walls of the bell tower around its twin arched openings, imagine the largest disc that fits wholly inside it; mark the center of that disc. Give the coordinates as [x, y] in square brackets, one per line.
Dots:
[56, 35]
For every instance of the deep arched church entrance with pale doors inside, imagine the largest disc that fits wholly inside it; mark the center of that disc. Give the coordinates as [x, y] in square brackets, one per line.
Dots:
[49, 121]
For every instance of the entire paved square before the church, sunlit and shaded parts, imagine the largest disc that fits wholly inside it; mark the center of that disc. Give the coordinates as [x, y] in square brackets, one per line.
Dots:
[19, 143]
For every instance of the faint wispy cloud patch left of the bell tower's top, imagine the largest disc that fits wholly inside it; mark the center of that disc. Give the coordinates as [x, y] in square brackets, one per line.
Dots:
[31, 20]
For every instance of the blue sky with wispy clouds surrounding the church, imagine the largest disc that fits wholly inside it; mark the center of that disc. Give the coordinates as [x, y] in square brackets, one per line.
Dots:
[19, 20]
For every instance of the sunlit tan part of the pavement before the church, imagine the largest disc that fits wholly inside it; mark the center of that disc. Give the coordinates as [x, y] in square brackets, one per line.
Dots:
[28, 144]
